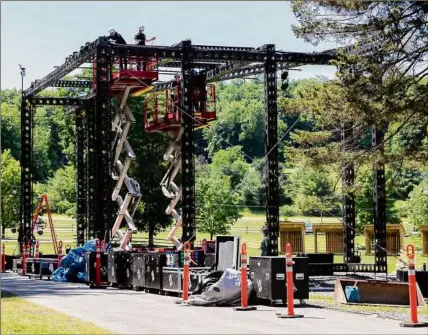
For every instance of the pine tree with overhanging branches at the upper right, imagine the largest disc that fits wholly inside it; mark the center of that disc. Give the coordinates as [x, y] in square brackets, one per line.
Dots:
[387, 84]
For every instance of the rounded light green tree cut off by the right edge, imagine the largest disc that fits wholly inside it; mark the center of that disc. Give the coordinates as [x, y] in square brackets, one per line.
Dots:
[418, 204]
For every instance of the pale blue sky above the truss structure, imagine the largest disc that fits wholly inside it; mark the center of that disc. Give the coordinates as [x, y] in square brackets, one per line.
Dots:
[41, 34]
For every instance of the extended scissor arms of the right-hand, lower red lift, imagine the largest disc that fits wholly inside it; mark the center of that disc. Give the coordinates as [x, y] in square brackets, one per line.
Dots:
[169, 187]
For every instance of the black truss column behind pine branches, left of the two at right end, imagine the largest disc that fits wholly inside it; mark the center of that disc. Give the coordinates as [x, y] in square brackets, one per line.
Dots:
[348, 201]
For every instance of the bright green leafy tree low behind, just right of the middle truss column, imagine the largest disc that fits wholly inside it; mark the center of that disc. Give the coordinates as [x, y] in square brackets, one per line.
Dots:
[216, 205]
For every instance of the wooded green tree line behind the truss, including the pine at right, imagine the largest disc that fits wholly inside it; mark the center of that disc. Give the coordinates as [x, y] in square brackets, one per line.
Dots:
[386, 88]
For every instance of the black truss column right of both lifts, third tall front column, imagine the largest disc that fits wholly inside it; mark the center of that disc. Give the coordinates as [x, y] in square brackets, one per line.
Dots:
[271, 150]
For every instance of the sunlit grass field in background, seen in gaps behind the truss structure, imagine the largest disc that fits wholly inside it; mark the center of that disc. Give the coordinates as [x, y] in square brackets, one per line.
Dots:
[248, 227]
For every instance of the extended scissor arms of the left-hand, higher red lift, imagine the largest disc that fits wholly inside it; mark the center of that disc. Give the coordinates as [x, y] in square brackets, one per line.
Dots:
[121, 124]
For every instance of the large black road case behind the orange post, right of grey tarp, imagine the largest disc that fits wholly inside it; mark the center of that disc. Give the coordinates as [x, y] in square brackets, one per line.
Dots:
[268, 277]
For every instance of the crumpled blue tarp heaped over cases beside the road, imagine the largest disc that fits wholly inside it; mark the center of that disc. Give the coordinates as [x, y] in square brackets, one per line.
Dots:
[73, 265]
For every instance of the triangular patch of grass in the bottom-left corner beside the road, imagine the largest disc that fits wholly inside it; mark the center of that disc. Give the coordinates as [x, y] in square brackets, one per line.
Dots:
[20, 316]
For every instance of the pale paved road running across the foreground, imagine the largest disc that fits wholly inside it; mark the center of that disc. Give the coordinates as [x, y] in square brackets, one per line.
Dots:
[128, 312]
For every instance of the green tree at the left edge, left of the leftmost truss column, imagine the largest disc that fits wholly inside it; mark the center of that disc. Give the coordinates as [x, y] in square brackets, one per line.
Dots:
[10, 183]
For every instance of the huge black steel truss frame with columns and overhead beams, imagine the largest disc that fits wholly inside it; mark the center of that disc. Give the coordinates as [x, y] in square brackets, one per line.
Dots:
[220, 62]
